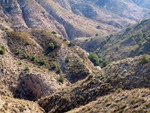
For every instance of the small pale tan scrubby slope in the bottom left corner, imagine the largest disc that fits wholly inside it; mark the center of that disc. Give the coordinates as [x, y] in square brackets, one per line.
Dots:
[11, 105]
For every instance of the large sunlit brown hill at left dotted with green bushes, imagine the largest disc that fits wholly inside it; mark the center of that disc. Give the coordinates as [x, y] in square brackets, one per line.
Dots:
[34, 63]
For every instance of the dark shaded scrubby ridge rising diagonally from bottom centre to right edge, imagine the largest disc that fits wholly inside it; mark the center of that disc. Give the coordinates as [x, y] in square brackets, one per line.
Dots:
[126, 74]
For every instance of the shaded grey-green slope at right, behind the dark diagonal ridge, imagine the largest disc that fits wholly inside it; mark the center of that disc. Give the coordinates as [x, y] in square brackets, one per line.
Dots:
[130, 42]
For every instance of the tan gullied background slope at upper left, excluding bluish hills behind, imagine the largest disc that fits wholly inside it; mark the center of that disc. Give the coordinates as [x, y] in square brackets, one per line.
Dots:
[49, 15]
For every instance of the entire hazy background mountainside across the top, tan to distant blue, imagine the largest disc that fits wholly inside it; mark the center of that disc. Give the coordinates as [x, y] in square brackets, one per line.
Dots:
[72, 18]
